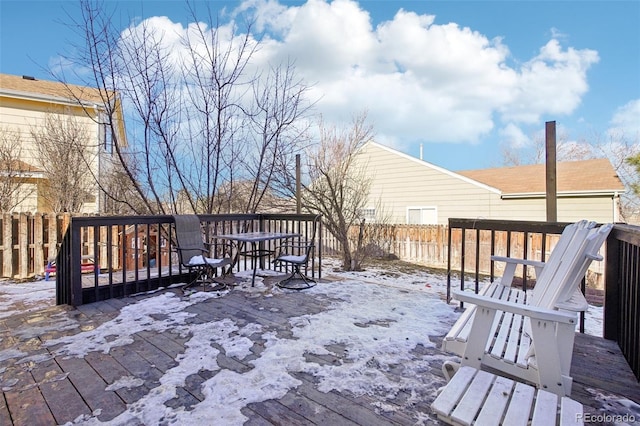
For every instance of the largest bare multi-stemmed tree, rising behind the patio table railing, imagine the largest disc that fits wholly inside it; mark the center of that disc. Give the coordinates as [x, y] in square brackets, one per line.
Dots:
[203, 118]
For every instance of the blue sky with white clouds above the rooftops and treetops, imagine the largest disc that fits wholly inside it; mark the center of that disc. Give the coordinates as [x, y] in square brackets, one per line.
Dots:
[461, 79]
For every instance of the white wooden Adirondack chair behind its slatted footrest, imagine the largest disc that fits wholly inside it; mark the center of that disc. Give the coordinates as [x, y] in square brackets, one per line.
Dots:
[530, 338]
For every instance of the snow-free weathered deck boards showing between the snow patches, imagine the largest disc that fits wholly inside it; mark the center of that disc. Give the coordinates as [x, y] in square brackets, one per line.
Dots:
[59, 390]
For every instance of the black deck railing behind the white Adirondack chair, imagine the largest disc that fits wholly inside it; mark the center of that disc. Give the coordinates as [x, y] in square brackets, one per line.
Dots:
[471, 243]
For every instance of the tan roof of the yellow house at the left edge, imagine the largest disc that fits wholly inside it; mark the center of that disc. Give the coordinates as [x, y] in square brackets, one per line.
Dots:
[22, 85]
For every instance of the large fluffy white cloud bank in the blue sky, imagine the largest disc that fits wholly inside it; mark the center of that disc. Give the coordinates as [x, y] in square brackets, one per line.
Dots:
[419, 80]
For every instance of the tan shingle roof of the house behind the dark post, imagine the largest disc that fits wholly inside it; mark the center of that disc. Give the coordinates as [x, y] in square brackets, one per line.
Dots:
[572, 177]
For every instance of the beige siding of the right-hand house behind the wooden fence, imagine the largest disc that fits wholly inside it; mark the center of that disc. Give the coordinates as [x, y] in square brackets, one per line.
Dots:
[399, 182]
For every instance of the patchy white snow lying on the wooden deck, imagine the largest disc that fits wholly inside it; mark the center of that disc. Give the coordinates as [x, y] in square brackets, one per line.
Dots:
[409, 306]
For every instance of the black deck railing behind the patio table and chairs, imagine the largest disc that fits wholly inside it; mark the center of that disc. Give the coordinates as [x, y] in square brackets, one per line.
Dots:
[116, 256]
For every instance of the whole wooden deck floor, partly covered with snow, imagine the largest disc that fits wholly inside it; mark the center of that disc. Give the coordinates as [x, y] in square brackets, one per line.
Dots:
[357, 349]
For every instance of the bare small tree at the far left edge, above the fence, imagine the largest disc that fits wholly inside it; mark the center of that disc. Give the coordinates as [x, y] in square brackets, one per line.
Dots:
[13, 173]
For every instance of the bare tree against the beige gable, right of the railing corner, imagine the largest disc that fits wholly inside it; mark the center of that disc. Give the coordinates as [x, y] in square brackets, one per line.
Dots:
[339, 186]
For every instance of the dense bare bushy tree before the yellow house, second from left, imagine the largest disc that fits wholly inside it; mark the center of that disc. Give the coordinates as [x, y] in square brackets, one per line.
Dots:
[63, 149]
